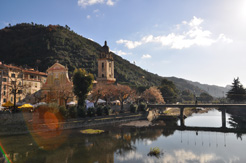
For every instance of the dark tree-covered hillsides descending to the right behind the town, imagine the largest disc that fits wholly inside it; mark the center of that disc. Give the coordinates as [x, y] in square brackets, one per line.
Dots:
[40, 46]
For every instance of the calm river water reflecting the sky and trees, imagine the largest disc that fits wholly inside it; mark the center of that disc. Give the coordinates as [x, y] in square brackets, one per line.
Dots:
[130, 144]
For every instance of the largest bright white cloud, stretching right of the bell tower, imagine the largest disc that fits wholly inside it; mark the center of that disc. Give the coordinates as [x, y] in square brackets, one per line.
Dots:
[195, 35]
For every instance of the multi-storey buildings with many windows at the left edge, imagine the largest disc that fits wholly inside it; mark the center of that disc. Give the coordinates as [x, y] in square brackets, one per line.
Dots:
[24, 81]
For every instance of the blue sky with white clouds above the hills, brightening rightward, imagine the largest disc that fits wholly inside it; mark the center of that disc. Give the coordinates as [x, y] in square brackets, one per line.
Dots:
[201, 41]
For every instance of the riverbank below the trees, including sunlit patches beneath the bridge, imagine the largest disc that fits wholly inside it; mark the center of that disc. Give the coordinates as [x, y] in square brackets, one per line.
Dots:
[24, 123]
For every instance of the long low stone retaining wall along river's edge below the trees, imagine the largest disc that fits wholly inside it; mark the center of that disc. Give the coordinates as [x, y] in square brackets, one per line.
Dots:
[22, 123]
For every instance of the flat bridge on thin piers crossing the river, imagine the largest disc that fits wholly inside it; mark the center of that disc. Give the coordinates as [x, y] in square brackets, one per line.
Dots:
[222, 107]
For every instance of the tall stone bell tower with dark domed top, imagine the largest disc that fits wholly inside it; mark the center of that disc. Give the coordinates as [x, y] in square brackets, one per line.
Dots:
[105, 66]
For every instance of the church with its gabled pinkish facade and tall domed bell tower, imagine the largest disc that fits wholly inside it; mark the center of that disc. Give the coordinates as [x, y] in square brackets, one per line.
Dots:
[58, 87]
